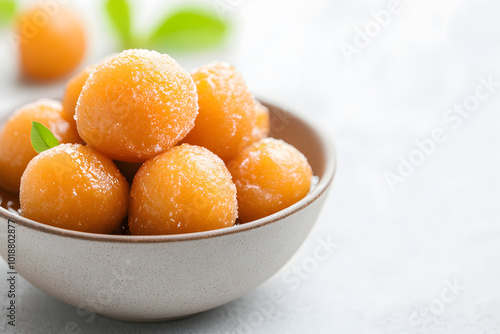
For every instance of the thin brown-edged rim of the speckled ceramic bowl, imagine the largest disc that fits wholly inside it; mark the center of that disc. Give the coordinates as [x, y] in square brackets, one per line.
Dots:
[323, 184]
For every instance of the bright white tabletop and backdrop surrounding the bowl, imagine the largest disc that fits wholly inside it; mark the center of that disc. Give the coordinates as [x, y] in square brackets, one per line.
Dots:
[422, 258]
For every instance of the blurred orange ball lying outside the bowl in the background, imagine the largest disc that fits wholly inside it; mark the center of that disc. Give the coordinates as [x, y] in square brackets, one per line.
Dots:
[51, 42]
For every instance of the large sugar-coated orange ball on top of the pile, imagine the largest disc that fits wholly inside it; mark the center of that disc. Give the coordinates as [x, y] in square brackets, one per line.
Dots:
[136, 105]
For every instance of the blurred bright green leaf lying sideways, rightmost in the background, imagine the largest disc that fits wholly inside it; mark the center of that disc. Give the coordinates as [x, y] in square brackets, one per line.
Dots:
[189, 29]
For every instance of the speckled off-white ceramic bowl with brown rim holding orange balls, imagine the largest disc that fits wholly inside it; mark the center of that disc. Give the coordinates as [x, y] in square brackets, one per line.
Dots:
[156, 278]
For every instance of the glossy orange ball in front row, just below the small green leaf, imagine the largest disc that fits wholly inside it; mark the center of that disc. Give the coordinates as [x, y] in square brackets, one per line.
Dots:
[74, 187]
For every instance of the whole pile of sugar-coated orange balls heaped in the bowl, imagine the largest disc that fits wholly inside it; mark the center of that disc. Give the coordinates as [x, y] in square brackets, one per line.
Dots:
[145, 143]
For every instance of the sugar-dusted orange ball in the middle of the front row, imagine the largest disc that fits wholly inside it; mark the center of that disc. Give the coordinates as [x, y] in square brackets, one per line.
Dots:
[186, 189]
